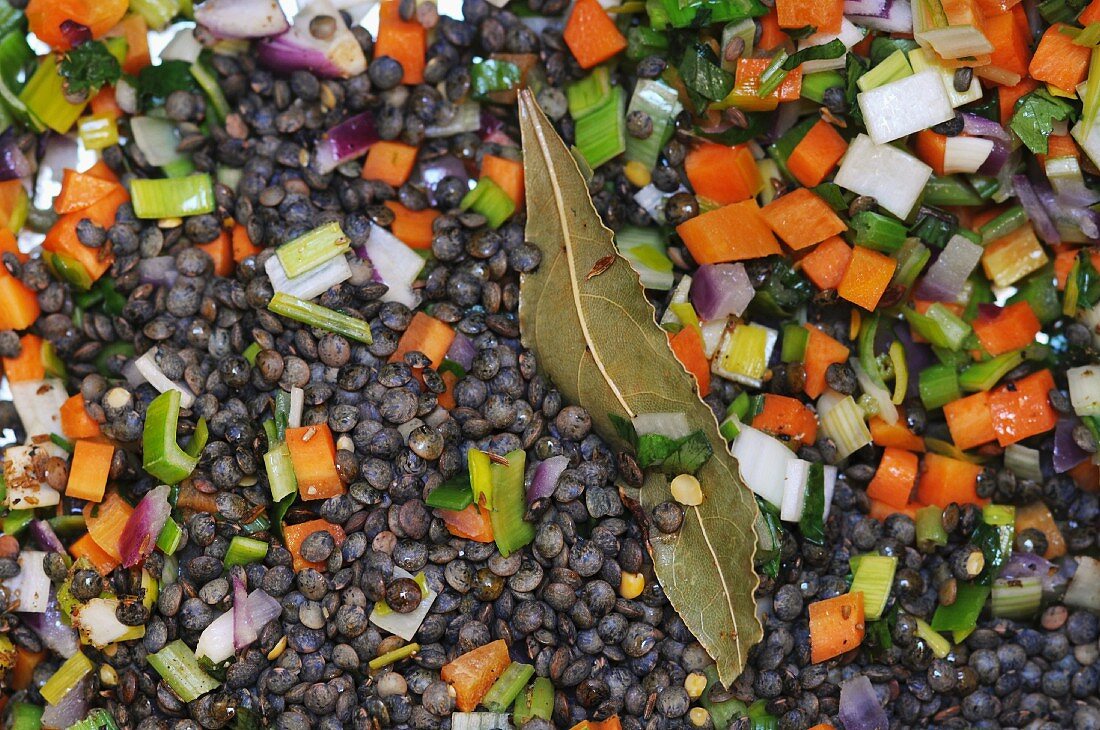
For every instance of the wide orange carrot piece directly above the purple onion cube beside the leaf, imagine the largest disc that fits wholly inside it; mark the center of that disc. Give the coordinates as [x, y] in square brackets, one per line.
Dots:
[734, 233]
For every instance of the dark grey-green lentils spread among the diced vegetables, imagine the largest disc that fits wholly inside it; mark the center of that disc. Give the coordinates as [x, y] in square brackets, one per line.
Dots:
[558, 602]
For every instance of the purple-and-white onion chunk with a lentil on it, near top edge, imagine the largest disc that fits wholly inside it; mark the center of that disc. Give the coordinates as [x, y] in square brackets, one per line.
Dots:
[338, 57]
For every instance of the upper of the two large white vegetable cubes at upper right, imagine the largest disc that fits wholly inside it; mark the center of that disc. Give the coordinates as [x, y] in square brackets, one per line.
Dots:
[907, 106]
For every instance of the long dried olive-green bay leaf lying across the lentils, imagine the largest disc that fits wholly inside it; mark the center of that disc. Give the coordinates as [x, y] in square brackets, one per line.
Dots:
[598, 340]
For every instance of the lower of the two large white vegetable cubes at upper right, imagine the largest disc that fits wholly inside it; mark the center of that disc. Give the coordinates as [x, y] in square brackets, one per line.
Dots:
[894, 178]
